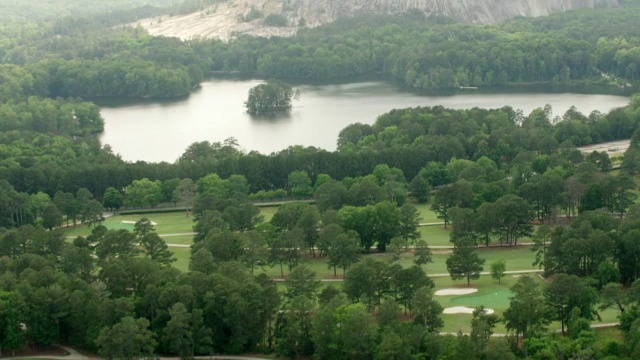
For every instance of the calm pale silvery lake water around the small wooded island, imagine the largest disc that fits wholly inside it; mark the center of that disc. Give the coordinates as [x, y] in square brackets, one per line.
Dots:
[161, 131]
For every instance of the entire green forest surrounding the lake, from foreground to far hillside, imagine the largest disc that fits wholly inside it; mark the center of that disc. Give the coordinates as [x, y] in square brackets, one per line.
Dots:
[489, 174]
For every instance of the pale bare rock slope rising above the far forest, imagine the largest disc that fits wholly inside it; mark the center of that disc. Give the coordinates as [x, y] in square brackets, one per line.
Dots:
[229, 18]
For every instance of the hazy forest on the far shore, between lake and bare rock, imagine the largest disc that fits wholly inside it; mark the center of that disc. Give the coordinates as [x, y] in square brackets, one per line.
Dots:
[74, 59]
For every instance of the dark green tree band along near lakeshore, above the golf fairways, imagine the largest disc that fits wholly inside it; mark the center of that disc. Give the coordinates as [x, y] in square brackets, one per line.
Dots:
[408, 139]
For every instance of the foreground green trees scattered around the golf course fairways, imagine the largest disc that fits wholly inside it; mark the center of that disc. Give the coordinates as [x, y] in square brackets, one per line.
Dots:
[95, 292]
